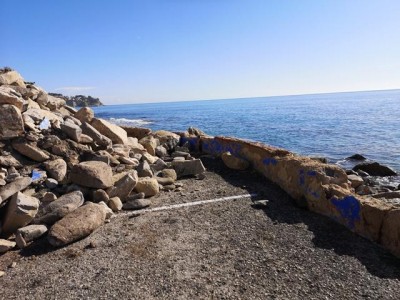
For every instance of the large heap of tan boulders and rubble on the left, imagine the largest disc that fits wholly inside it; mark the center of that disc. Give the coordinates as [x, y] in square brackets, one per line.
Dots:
[64, 173]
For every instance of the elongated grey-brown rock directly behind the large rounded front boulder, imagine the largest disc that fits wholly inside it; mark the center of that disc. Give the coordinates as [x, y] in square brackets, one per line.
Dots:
[59, 208]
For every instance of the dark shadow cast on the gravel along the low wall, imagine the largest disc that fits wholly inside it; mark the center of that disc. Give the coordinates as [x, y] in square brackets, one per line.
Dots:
[327, 233]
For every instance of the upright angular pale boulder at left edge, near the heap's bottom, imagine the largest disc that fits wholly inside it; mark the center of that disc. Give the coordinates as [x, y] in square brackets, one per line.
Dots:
[21, 210]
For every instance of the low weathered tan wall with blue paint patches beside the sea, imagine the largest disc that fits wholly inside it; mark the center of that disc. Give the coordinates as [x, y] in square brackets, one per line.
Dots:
[322, 188]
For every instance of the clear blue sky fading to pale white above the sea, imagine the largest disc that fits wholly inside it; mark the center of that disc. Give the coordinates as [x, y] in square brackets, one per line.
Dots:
[127, 51]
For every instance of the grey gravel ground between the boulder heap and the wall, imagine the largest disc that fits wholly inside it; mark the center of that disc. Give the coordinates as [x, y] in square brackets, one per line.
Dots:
[224, 250]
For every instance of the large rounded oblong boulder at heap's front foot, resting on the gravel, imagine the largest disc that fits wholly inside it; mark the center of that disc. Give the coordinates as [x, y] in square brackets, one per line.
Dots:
[77, 225]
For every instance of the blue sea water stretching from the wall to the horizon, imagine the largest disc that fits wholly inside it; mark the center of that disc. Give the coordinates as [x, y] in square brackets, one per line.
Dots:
[334, 125]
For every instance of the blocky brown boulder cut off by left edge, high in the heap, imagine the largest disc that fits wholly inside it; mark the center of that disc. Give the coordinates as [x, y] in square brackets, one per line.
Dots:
[11, 124]
